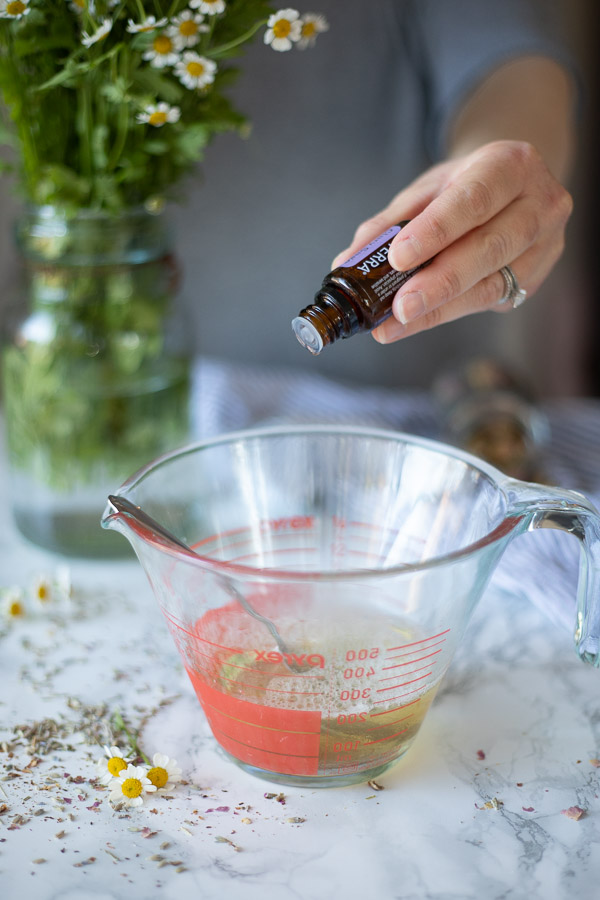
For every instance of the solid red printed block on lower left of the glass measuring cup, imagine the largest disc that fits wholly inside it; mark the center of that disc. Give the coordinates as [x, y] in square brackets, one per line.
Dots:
[279, 740]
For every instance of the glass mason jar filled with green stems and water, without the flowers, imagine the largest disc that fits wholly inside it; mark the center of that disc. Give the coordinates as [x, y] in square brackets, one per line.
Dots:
[95, 381]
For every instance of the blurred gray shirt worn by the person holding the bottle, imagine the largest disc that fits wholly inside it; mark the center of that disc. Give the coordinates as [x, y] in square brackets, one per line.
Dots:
[337, 130]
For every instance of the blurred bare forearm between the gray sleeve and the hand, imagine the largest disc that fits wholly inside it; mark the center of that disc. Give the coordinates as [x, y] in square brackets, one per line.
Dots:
[528, 99]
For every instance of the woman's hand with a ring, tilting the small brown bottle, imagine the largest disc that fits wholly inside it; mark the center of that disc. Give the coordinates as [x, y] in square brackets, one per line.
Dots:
[497, 206]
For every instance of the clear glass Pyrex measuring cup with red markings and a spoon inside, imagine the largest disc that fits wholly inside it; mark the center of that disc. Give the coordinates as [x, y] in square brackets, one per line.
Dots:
[366, 550]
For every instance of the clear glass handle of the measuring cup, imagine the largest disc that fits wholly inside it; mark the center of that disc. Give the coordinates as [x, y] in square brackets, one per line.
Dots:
[569, 511]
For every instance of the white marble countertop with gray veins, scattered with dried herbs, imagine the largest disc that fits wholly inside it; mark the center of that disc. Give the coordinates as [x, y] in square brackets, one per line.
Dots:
[475, 810]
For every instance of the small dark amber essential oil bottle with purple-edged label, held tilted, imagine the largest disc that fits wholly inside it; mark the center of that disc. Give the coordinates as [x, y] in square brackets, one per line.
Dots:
[355, 297]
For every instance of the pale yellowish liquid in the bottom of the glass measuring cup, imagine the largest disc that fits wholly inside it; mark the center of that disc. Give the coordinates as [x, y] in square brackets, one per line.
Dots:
[335, 711]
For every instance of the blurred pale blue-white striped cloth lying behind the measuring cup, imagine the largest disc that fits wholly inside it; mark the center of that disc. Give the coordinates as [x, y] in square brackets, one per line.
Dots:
[541, 567]
